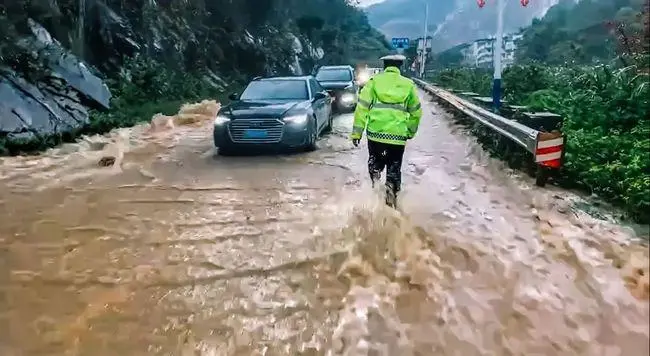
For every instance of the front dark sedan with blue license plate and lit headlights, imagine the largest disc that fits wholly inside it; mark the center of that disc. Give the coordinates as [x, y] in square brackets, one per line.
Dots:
[283, 111]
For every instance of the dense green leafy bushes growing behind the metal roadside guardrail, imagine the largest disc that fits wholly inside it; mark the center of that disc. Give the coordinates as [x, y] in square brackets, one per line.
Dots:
[606, 122]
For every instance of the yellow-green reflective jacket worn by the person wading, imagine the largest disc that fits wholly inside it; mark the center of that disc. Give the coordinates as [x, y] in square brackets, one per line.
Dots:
[388, 109]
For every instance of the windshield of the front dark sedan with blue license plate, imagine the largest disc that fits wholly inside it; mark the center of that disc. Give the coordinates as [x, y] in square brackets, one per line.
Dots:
[276, 90]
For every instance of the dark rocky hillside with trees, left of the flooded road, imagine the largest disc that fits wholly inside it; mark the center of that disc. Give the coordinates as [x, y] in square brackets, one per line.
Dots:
[56, 55]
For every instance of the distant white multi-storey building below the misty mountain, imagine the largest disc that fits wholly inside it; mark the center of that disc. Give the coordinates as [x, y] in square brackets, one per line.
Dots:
[481, 52]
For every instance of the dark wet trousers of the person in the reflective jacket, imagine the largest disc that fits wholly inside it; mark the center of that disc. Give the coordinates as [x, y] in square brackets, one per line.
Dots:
[383, 155]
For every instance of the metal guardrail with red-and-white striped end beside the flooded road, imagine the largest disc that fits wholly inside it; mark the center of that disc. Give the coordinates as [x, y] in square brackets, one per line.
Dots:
[546, 148]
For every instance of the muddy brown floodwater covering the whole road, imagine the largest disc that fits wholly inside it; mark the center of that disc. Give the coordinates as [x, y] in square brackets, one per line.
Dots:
[169, 249]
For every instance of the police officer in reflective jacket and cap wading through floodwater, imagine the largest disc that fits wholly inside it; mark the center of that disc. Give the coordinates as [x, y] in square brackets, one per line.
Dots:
[389, 111]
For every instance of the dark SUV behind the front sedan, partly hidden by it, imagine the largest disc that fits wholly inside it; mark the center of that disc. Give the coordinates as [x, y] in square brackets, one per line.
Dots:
[339, 81]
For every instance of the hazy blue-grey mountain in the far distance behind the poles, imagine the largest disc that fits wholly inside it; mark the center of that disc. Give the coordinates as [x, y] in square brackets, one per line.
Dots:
[451, 22]
